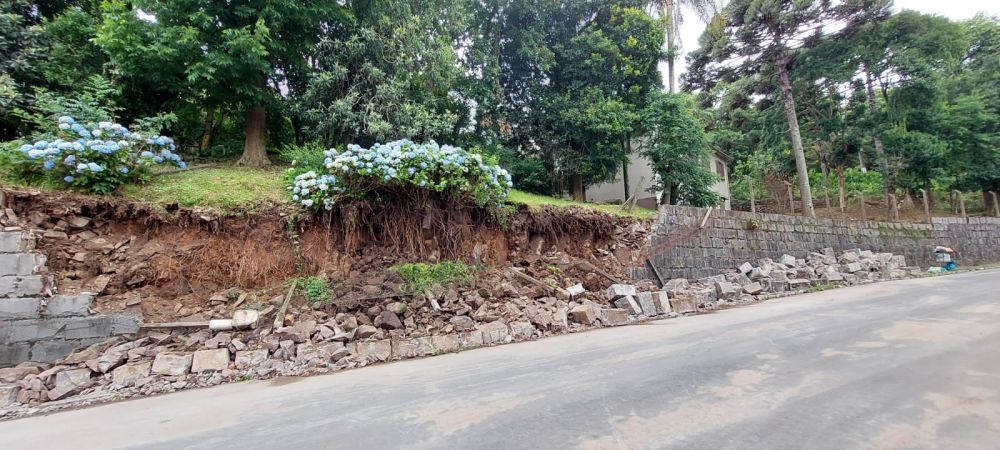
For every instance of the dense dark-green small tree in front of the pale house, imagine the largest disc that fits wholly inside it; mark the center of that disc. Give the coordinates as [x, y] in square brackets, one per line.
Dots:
[678, 150]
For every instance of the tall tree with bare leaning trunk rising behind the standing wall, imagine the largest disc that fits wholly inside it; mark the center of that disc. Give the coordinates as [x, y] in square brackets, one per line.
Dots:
[764, 38]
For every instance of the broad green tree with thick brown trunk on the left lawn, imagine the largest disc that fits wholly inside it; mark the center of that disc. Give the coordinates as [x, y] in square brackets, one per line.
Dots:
[237, 54]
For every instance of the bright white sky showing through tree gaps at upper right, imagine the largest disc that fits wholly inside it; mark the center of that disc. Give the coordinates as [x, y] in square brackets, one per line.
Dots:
[953, 9]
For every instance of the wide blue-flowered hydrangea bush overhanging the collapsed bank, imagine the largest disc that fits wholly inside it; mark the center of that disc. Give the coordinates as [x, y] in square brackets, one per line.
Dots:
[403, 164]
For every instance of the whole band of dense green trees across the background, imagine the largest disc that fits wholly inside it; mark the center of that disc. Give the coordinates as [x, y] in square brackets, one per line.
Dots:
[564, 94]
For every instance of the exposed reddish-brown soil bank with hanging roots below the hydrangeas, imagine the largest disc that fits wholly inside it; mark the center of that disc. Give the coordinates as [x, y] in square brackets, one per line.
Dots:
[186, 264]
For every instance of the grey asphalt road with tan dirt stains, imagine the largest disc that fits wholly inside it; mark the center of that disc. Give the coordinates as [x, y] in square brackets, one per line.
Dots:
[906, 364]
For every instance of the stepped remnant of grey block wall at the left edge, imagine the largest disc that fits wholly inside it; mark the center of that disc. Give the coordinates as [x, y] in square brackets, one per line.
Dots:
[35, 324]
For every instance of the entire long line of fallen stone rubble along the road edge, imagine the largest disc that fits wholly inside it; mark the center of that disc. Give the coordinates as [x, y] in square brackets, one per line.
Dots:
[314, 341]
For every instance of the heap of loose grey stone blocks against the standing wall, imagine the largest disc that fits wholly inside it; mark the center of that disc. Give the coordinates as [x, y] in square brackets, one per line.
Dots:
[790, 275]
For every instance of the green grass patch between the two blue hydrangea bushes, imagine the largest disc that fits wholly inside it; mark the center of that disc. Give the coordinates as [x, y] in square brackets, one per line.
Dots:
[226, 189]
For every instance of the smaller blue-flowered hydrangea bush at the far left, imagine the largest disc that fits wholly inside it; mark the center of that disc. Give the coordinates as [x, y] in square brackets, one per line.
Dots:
[96, 158]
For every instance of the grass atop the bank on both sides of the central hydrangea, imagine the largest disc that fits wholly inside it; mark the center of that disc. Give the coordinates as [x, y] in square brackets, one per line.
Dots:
[229, 188]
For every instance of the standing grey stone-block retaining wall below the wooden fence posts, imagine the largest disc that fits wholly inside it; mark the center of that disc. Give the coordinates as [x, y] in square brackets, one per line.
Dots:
[680, 248]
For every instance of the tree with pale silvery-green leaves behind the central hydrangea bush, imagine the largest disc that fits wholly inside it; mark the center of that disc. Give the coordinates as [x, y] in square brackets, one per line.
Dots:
[388, 76]
